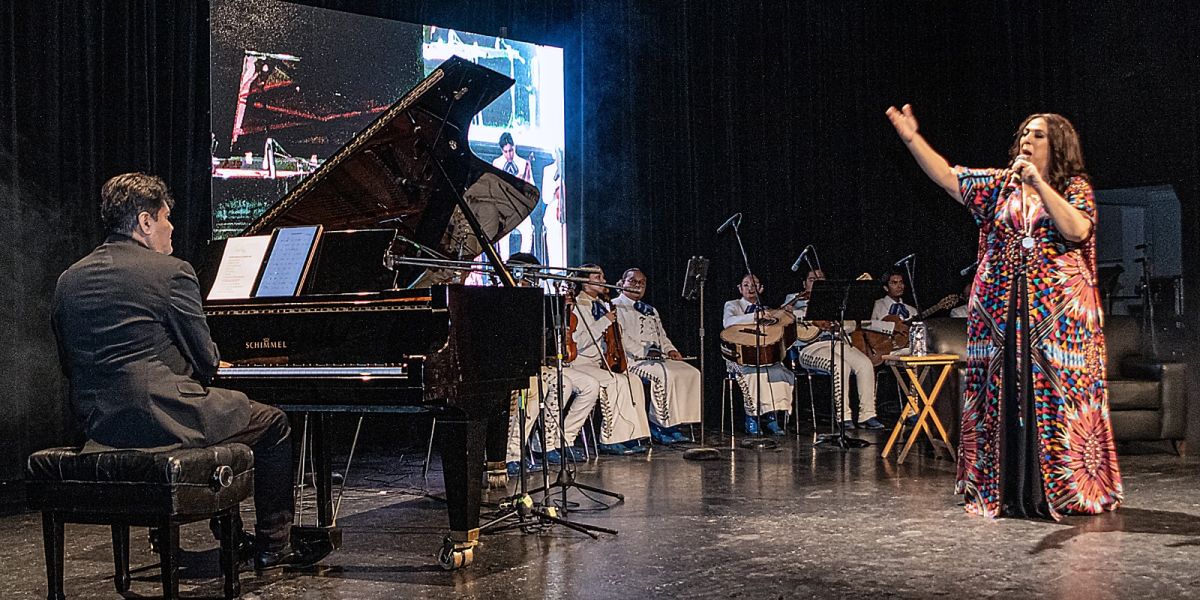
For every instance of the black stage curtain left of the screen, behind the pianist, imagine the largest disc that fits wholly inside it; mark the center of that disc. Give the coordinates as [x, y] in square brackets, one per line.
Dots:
[88, 91]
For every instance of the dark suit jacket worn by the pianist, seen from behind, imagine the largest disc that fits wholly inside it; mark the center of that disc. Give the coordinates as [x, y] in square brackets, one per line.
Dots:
[136, 349]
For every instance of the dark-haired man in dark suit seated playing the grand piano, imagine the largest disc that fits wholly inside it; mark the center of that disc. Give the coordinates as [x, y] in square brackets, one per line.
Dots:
[135, 345]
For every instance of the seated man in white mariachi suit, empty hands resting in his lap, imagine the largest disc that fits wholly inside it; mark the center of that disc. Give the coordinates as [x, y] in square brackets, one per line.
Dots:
[675, 385]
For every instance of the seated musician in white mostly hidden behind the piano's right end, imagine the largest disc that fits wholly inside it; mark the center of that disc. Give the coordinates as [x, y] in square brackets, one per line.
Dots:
[579, 388]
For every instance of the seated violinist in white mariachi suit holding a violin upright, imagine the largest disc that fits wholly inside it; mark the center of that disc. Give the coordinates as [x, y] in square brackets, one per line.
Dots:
[622, 398]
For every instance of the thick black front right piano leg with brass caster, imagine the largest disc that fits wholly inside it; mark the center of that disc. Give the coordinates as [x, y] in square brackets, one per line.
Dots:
[463, 443]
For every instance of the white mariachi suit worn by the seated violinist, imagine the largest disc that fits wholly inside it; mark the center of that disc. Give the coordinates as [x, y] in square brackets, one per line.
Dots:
[622, 399]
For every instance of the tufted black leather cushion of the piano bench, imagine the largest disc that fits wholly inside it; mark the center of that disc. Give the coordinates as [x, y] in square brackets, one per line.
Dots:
[175, 483]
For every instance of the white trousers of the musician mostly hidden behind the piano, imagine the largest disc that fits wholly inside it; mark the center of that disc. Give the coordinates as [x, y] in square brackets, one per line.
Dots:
[585, 391]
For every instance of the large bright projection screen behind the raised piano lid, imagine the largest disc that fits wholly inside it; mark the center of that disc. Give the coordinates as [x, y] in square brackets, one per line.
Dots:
[292, 85]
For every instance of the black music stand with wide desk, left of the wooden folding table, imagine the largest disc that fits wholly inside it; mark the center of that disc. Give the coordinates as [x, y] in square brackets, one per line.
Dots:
[837, 302]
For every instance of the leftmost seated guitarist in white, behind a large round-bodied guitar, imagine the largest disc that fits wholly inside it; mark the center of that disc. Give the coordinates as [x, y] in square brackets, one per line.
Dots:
[766, 389]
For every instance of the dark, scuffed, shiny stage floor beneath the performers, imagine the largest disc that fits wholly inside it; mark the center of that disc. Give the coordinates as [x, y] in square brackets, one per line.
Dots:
[794, 523]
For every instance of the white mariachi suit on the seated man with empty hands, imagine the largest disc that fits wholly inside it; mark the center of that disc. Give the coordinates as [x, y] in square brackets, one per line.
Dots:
[675, 385]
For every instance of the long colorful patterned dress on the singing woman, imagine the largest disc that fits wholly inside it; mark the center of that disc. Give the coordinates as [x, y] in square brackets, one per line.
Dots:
[1051, 373]
